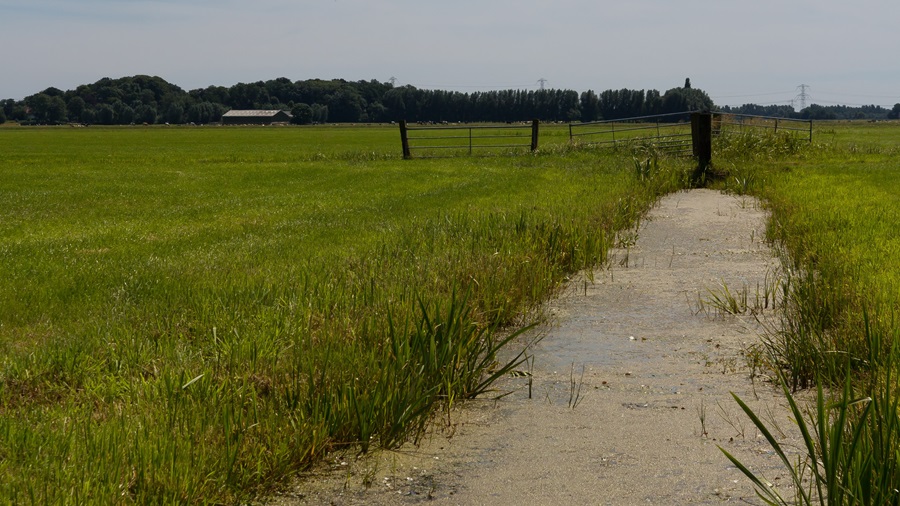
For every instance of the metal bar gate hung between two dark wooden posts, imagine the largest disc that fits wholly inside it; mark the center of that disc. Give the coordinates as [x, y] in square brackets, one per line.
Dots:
[427, 139]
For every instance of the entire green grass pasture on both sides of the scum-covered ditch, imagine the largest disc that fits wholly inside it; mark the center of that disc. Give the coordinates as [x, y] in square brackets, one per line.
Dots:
[200, 313]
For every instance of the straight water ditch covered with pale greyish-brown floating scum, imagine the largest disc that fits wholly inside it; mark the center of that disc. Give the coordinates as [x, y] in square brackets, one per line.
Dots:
[630, 387]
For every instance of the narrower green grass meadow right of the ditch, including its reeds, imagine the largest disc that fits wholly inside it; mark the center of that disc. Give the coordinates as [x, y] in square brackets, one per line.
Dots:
[835, 209]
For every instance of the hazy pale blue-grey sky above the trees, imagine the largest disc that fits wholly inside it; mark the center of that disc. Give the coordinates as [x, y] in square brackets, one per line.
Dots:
[738, 51]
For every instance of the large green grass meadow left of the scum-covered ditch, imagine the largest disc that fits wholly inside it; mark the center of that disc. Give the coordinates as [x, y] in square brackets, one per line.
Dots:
[193, 315]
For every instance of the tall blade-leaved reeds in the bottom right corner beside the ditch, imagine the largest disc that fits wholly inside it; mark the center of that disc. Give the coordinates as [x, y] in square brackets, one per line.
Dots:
[851, 440]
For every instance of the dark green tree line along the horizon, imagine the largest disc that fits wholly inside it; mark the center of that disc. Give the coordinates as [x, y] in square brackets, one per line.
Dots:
[148, 100]
